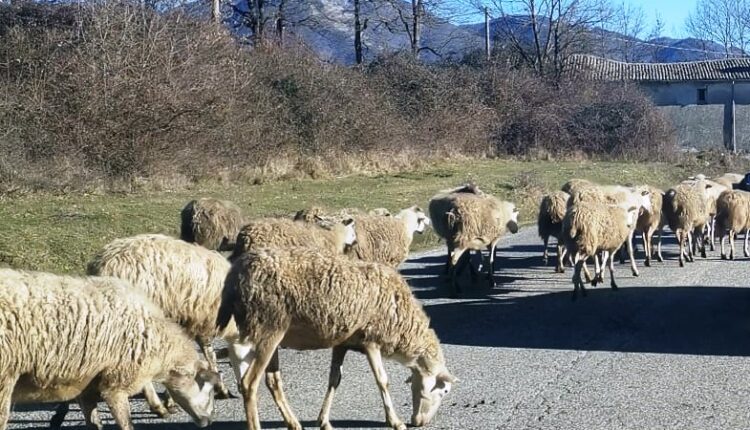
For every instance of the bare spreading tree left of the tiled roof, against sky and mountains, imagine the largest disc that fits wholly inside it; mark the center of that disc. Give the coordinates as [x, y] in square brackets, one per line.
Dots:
[544, 33]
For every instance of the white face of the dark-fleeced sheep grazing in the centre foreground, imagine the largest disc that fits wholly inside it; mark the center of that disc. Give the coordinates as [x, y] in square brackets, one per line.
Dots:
[427, 392]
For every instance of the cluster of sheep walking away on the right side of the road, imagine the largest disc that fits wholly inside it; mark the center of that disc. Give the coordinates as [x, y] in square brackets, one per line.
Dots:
[592, 221]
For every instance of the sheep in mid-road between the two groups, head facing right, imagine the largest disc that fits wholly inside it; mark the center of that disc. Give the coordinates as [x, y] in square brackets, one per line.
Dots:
[470, 221]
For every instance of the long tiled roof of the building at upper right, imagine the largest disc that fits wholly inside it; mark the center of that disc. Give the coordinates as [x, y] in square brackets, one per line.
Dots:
[599, 68]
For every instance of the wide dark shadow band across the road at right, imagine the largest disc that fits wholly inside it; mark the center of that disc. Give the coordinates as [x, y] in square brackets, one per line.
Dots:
[672, 320]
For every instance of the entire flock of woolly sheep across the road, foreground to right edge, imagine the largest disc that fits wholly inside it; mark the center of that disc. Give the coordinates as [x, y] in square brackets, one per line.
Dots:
[313, 281]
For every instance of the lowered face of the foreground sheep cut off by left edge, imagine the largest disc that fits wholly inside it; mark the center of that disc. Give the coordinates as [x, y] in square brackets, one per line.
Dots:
[192, 388]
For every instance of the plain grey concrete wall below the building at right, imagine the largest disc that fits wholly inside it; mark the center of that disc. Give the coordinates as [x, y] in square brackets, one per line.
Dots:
[701, 126]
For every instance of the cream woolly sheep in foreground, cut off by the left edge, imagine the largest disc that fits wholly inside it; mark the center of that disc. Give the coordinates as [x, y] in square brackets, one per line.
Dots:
[92, 338]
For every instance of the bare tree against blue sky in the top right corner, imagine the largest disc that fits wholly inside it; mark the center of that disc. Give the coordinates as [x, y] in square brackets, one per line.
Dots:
[722, 21]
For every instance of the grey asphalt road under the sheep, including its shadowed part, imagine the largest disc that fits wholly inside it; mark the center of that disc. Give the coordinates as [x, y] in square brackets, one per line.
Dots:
[667, 350]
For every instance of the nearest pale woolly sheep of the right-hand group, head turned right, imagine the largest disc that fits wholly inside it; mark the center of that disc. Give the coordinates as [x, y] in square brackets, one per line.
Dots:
[592, 227]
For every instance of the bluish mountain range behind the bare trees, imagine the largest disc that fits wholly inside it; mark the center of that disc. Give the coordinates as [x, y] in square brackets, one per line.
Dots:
[327, 28]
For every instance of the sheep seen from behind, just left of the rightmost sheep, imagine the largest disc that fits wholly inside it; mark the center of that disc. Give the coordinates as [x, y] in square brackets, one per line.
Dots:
[685, 211]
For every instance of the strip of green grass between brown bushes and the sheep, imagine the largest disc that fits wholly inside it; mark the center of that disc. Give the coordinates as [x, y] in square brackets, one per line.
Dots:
[61, 233]
